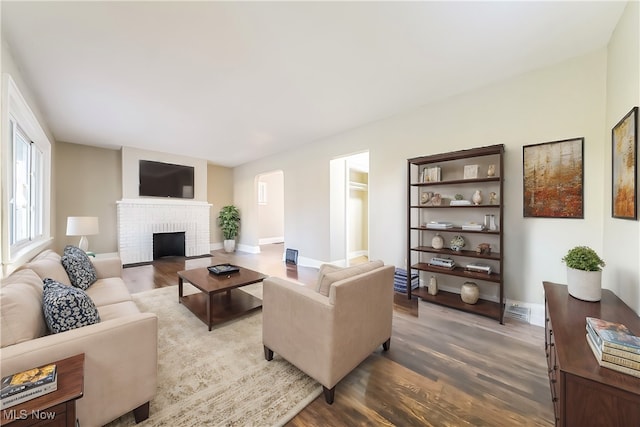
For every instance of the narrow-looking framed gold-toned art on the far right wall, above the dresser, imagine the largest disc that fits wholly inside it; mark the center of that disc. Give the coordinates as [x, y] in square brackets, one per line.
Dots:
[624, 159]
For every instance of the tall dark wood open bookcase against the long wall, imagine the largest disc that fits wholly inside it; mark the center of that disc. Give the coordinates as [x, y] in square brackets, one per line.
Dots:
[452, 181]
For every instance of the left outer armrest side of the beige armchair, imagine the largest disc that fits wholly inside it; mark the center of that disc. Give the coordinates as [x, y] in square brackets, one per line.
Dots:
[297, 324]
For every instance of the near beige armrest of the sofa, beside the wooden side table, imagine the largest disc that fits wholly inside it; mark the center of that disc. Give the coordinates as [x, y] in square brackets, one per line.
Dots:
[120, 371]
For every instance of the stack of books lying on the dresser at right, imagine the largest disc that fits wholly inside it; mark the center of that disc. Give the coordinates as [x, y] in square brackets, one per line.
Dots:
[614, 346]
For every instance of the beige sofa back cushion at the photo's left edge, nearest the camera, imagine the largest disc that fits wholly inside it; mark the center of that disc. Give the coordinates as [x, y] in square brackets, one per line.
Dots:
[21, 316]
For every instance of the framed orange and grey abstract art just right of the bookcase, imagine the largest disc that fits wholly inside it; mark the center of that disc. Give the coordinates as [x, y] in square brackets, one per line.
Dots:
[553, 179]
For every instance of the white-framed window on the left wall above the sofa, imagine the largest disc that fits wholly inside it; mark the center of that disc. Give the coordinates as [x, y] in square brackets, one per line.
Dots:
[26, 170]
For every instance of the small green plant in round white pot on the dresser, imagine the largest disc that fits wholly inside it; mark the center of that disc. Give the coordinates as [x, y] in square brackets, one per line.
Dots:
[584, 273]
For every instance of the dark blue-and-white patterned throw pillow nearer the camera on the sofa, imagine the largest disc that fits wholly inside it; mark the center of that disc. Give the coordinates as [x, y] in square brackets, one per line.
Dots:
[67, 307]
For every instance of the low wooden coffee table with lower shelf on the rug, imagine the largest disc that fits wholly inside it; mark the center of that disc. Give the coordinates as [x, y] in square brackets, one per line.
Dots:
[219, 299]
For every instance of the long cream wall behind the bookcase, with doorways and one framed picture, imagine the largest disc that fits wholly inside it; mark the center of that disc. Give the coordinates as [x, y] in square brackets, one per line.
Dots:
[563, 101]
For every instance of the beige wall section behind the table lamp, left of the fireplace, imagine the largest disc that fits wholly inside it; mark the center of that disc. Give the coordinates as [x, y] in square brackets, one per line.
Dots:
[89, 182]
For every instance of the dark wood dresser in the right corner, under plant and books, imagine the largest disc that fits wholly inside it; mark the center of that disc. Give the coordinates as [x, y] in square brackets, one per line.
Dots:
[585, 394]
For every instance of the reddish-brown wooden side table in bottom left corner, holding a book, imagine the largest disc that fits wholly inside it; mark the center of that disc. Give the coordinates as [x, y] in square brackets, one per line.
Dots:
[56, 409]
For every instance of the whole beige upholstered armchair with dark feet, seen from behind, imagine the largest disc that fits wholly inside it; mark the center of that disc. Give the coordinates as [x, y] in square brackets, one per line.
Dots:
[327, 336]
